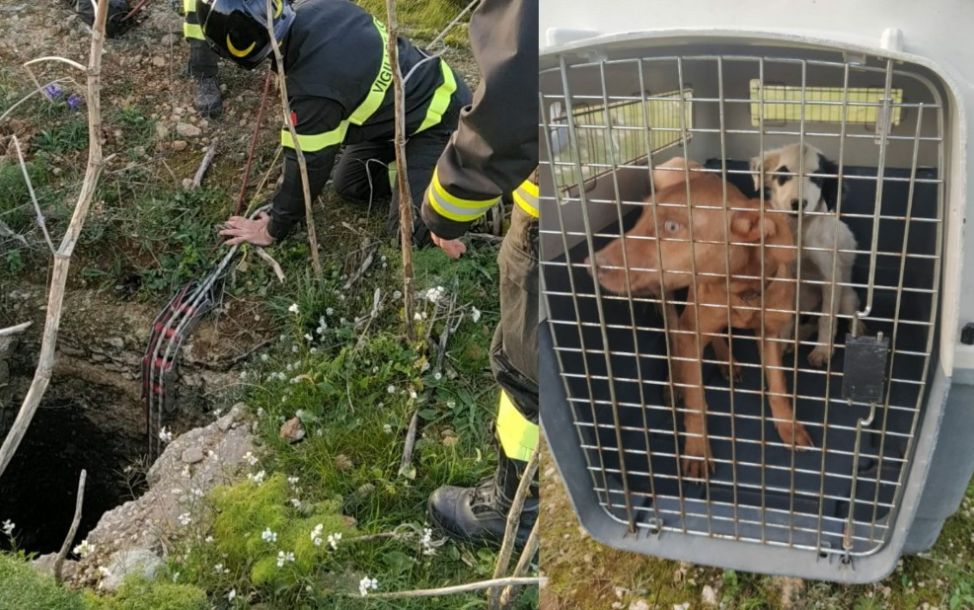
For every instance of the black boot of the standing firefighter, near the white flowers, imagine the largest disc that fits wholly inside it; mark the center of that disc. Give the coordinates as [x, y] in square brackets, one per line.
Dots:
[480, 513]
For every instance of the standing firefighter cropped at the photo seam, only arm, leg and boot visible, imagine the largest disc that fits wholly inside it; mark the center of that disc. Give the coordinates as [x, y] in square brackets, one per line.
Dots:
[494, 153]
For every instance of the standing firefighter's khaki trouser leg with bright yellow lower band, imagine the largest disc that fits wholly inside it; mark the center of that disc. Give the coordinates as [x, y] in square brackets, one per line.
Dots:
[514, 352]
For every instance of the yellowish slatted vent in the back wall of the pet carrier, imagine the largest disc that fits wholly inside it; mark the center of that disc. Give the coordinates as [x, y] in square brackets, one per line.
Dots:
[784, 103]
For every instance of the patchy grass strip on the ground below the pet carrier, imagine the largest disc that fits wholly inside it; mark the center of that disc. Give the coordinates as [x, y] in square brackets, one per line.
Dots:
[943, 578]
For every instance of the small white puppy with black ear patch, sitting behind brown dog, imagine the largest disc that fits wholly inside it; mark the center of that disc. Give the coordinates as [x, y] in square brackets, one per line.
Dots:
[822, 229]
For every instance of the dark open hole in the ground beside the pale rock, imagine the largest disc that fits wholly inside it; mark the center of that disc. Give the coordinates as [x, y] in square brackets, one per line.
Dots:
[38, 491]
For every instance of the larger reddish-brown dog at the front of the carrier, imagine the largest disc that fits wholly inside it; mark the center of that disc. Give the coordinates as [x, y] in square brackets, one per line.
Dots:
[661, 255]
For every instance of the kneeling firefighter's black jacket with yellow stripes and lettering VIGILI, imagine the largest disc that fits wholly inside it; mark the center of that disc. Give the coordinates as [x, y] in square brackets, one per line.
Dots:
[340, 89]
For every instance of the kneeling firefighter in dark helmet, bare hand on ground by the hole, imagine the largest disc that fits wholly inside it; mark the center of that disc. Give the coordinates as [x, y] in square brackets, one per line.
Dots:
[339, 84]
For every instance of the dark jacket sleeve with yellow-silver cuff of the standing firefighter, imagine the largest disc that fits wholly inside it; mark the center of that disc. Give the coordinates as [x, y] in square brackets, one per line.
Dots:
[495, 148]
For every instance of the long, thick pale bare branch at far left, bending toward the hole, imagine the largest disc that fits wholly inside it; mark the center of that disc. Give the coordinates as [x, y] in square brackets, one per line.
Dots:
[62, 258]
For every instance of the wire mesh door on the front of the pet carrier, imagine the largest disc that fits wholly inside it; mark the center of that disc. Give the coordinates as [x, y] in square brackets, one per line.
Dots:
[616, 343]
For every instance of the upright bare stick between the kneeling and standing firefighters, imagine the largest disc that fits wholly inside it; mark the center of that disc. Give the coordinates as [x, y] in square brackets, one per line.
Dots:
[405, 197]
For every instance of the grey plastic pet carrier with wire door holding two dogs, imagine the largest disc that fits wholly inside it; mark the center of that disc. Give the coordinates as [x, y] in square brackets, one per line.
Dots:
[892, 449]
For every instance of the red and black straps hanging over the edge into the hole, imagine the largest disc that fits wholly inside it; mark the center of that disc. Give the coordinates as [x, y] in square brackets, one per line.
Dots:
[172, 326]
